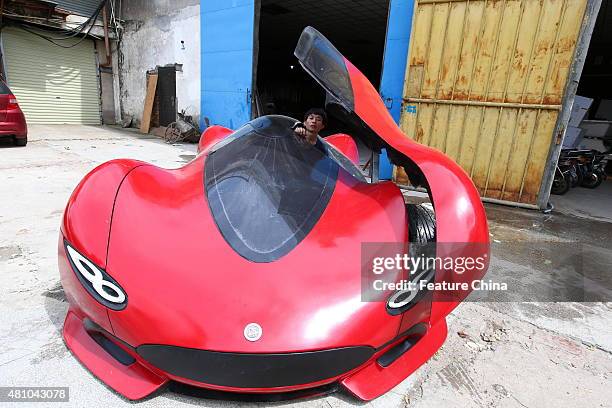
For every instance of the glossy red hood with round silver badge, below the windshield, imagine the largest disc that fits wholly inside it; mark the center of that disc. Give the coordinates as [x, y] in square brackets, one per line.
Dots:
[187, 286]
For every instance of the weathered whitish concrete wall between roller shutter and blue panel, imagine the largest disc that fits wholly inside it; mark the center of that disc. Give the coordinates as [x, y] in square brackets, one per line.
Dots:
[153, 32]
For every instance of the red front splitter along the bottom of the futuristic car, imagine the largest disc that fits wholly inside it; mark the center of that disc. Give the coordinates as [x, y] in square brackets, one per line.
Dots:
[136, 378]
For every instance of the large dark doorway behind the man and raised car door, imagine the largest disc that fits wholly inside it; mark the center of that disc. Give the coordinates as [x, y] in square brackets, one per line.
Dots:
[357, 29]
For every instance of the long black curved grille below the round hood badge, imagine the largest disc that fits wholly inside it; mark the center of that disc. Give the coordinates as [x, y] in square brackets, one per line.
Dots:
[254, 370]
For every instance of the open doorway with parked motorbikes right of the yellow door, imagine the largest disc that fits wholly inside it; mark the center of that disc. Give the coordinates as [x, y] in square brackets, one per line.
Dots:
[590, 129]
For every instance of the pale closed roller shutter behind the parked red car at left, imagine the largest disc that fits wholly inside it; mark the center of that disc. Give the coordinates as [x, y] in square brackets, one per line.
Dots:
[52, 84]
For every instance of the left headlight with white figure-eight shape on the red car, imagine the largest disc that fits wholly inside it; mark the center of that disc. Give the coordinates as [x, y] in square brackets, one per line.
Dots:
[96, 281]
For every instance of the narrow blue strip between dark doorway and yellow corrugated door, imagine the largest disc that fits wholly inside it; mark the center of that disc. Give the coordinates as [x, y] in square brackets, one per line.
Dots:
[394, 66]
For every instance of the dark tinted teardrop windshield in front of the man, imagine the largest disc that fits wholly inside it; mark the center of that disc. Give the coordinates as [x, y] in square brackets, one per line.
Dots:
[267, 187]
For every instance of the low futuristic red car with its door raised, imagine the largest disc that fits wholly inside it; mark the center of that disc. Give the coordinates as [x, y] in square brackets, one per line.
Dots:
[242, 272]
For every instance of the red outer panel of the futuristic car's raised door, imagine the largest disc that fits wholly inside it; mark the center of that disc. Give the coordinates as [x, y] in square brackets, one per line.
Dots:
[460, 215]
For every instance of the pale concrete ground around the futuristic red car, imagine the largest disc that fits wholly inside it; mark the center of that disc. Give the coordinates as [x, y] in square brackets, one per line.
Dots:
[496, 355]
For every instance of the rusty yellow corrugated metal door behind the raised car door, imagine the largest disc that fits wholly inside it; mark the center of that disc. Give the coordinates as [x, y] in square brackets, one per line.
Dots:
[484, 84]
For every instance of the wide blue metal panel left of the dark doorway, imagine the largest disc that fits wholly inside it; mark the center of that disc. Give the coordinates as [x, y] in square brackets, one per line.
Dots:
[226, 38]
